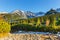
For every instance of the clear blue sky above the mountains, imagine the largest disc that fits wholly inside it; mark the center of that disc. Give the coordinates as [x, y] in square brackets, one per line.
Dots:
[28, 5]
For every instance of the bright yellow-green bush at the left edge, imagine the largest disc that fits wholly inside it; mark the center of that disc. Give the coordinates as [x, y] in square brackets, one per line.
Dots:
[4, 27]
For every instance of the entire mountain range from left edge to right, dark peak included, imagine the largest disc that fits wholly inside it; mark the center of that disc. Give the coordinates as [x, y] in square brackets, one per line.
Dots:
[19, 14]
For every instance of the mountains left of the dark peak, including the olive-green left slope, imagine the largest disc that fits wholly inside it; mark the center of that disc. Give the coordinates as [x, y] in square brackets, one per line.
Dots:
[19, 14]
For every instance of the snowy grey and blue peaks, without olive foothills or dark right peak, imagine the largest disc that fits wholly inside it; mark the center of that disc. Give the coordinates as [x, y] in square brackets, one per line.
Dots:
[27, 14]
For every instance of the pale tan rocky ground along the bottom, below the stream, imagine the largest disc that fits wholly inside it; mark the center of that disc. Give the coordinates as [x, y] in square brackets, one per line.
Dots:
[30, 37]
